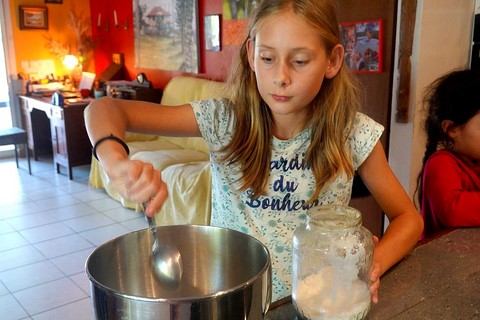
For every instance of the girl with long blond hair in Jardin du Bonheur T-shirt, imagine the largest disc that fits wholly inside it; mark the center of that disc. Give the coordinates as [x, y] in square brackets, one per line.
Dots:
[288, 138]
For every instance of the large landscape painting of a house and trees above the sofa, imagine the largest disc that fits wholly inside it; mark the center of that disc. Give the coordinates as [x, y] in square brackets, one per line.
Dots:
[166, 35]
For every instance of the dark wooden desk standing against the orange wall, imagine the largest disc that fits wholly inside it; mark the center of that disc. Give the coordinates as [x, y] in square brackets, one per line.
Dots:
[57, 131]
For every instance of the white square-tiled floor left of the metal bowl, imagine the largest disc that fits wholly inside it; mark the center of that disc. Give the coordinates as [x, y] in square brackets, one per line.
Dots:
[48, 227]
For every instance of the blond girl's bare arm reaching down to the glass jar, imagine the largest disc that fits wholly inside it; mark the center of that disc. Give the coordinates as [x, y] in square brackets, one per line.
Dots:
[406, 223]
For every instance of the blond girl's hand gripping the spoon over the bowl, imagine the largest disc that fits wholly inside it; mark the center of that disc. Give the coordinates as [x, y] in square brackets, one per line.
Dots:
[139, 182]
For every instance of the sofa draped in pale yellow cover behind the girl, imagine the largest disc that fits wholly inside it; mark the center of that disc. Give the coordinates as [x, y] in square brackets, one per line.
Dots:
[184, 162]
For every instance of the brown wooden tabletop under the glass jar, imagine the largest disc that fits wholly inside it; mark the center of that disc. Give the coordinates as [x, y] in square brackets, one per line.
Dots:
[440, 279]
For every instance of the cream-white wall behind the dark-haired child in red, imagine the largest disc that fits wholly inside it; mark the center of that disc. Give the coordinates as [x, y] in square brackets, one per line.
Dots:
[442, 42]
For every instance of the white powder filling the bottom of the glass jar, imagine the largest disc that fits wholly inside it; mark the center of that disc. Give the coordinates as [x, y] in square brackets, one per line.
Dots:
[331, 295]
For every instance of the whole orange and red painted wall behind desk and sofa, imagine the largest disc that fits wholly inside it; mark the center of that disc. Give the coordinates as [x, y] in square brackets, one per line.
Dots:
[31, 44]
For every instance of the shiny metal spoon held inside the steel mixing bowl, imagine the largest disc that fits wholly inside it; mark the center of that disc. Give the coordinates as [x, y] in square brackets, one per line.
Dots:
[166, 260]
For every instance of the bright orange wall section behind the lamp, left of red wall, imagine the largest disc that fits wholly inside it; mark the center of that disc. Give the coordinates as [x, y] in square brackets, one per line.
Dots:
[31, 44]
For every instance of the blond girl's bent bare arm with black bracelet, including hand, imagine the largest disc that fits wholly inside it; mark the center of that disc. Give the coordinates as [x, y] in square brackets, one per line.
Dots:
[135, 180]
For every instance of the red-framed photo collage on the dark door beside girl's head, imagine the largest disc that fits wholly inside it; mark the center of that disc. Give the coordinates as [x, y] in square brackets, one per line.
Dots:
[363, 43]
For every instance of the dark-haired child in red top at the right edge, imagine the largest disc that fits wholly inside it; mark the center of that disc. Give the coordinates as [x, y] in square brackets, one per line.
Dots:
[449, 183]
